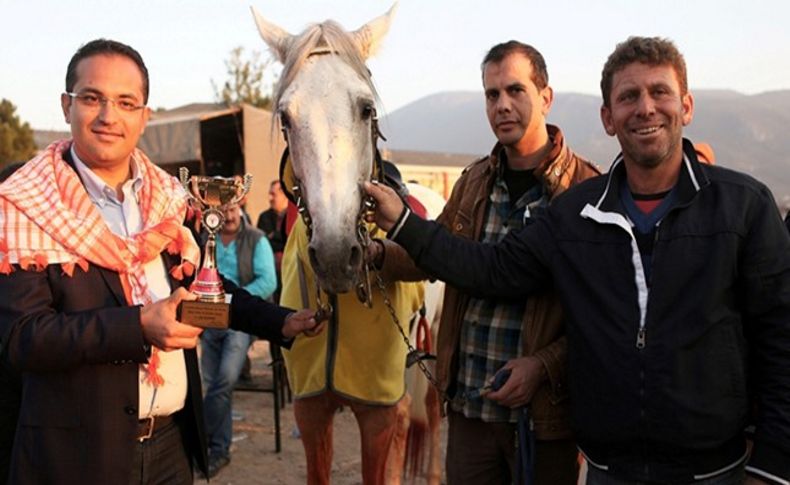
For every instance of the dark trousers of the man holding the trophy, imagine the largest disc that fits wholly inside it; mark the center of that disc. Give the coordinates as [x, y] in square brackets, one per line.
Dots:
[162, 459]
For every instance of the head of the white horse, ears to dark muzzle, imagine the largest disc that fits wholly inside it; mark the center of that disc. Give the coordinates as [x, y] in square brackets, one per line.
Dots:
[325, 103]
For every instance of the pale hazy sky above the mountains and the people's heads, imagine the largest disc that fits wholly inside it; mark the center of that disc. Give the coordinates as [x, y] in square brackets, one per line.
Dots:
[432, 46]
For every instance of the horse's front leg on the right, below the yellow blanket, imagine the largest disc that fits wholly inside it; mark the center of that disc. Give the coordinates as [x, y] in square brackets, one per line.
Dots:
[378, 426]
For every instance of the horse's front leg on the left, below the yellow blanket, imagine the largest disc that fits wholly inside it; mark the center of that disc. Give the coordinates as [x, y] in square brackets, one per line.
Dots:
[314, 416]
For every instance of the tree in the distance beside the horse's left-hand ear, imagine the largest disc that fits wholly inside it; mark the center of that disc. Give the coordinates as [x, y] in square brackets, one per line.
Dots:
[246, 81]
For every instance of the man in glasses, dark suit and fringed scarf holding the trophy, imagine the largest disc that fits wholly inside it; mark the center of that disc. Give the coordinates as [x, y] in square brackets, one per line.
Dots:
[92, 245]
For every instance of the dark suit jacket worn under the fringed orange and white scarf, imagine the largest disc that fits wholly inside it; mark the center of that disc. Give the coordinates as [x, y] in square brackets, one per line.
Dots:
[78, 345]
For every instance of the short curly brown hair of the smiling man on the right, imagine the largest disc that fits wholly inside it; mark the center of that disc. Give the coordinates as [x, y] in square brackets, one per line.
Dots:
[653, 51]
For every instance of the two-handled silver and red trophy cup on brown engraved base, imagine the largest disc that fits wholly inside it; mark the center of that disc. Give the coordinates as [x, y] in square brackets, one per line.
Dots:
[211, 195]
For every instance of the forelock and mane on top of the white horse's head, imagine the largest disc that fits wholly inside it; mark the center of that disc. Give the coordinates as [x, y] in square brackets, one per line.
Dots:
[326, 36]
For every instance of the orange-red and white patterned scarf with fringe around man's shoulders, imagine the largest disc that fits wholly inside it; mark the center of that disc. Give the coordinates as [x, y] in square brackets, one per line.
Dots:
[46, 217]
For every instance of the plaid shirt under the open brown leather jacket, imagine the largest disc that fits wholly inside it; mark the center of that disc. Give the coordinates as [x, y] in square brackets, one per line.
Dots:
[491, 329]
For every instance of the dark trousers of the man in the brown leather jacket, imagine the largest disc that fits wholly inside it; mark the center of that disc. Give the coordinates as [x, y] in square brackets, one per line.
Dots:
[481, 453]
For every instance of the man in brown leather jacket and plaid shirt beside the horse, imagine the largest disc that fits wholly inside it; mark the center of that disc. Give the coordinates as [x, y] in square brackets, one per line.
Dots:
[527, 168]
